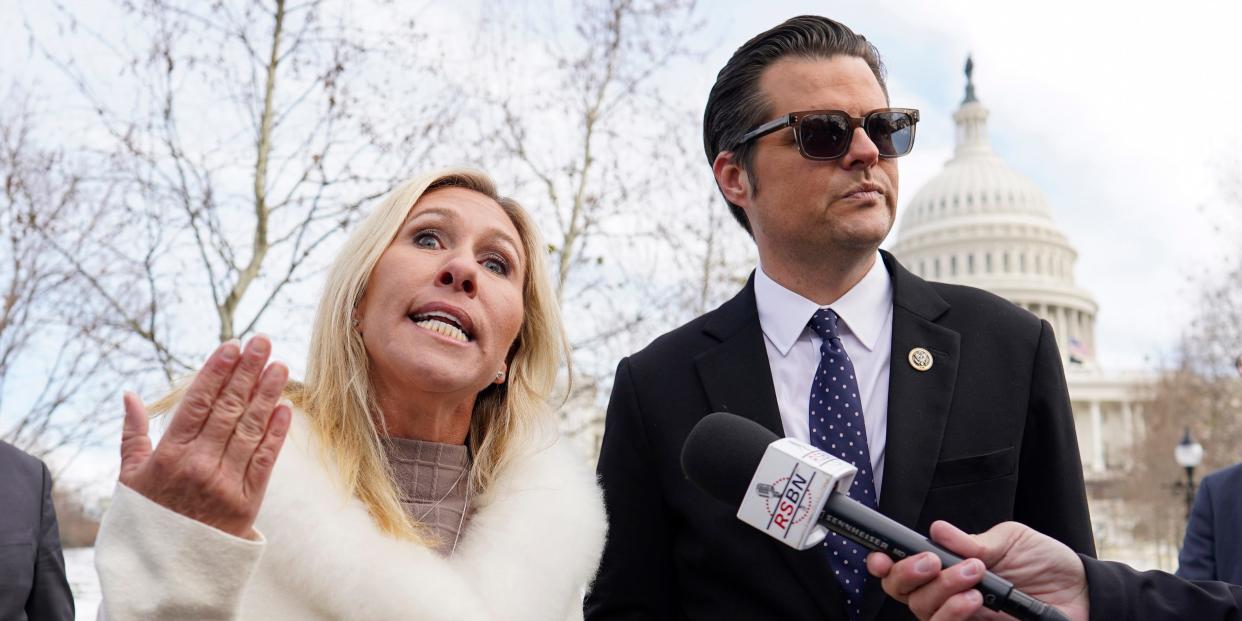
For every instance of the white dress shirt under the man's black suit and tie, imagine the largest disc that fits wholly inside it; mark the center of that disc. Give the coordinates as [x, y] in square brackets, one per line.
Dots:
[793, 347]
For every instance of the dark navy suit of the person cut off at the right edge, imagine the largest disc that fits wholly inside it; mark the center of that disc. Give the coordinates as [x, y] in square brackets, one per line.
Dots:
[1213, 550]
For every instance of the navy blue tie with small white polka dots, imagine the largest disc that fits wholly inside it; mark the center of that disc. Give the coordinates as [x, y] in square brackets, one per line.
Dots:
[838, 429]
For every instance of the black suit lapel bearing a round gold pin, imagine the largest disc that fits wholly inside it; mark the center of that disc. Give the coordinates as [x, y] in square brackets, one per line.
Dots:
[918, 402]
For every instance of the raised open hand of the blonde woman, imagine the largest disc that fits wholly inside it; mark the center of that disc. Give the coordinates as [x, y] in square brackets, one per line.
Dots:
[214, 461]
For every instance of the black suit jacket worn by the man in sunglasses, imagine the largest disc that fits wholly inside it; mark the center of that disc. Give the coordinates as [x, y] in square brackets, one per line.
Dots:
[987, 435]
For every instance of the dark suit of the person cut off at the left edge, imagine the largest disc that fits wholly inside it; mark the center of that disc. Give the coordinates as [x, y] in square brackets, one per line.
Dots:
[33, 583]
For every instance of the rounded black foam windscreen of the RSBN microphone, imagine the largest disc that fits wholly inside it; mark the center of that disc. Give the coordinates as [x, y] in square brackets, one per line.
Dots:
[722, 454]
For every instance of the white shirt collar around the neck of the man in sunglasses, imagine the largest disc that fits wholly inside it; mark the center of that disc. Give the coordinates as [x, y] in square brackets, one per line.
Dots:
[784, 315]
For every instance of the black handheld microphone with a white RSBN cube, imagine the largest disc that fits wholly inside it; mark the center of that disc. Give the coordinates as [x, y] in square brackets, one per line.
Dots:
[798, 494]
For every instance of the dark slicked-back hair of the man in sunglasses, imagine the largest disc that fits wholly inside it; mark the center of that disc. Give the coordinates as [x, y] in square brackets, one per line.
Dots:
[736, 105]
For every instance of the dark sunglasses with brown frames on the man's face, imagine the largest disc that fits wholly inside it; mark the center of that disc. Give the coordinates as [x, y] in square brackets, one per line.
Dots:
[827, 135]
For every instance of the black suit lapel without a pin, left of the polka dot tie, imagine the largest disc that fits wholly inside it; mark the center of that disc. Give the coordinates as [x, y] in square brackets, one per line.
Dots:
[737, 379]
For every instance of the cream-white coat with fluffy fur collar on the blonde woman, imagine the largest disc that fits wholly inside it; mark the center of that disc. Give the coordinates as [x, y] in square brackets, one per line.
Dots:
[532, 546]
